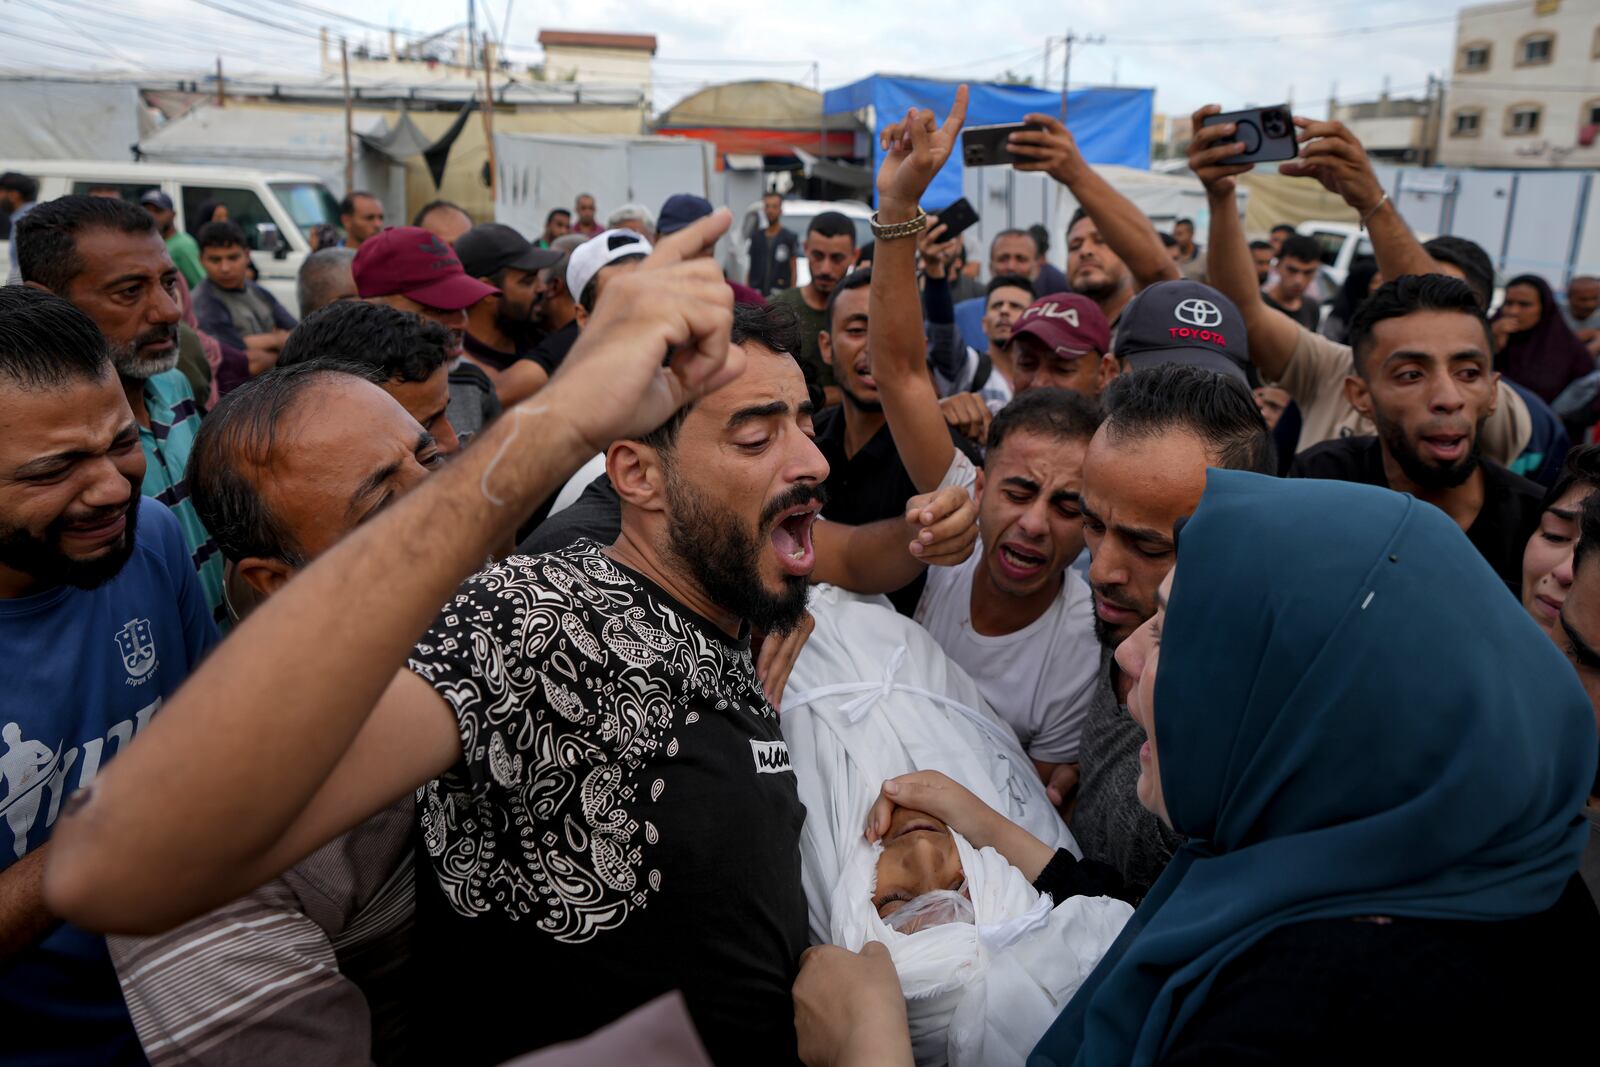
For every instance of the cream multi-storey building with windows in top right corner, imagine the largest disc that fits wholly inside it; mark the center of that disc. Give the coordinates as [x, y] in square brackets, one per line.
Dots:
[1526, 86]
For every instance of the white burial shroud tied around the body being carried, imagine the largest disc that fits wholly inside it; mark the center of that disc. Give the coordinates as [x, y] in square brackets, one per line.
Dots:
[871, 698]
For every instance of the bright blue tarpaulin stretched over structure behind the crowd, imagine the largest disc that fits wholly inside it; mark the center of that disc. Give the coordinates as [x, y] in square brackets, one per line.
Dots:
[1110, 126]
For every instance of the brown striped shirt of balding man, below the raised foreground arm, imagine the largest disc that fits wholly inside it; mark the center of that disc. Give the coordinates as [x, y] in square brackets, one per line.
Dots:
[313, 969]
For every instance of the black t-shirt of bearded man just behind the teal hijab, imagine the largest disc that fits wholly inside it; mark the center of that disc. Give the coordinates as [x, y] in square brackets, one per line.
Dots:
[1508, 519]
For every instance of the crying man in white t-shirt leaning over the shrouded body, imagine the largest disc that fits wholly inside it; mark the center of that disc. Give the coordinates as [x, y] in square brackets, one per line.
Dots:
[1015, 617]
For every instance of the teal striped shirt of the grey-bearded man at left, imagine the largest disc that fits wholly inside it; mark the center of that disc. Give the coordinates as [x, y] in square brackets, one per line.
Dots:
[175, 420]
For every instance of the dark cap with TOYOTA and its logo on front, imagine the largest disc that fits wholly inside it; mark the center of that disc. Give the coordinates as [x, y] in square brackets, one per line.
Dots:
[1183, 322]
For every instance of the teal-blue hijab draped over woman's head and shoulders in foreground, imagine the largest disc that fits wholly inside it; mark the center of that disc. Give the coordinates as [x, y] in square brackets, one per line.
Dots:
[1354, 717]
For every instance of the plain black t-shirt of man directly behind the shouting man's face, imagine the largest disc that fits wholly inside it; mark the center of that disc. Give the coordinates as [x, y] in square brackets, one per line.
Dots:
[873, 486]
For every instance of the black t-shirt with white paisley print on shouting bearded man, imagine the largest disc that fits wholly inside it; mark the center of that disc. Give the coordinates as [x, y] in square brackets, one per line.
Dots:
[623, 820]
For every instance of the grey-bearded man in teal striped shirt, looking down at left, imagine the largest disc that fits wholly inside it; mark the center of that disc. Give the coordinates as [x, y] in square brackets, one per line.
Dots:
[108, 258]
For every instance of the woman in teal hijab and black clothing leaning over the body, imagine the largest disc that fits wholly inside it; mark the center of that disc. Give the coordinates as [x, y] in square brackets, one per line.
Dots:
[1361, 733]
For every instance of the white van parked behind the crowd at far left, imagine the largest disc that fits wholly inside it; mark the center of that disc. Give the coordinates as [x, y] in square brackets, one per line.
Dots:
[274, 209]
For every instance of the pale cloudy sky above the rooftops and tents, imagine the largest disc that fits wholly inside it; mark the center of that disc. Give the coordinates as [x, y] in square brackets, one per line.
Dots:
[1231, 52]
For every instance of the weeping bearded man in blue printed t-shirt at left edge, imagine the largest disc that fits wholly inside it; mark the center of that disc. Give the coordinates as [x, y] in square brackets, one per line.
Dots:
[102, 618]
